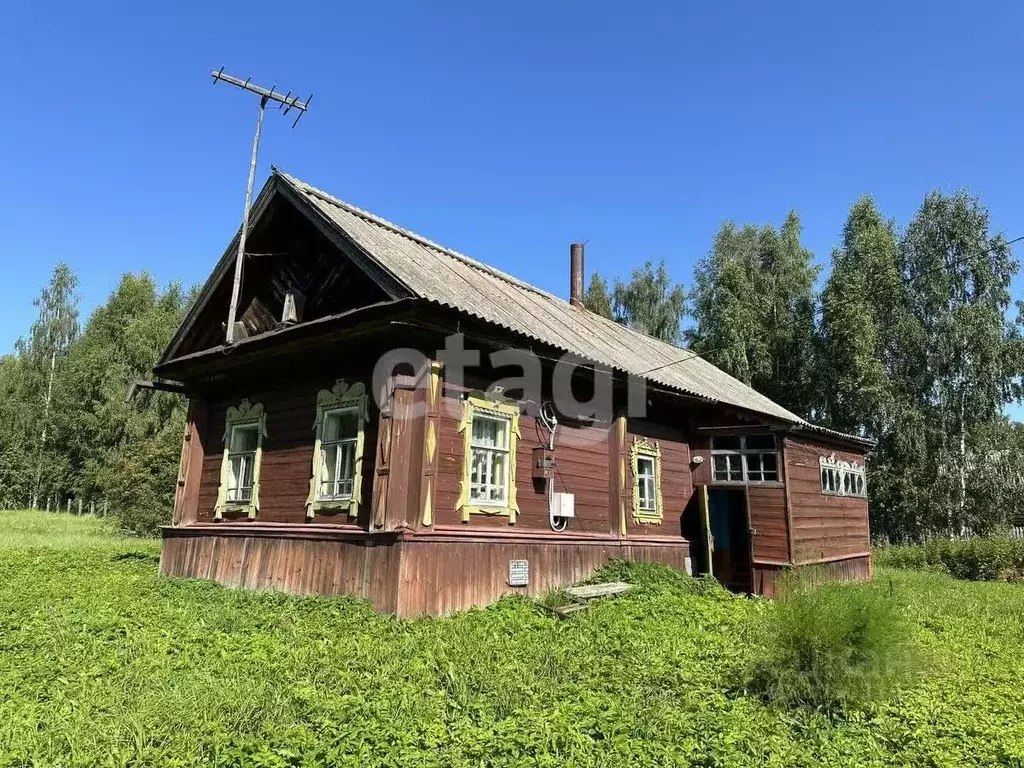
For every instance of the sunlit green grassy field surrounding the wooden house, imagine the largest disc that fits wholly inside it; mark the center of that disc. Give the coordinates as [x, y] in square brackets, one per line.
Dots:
[103, 663]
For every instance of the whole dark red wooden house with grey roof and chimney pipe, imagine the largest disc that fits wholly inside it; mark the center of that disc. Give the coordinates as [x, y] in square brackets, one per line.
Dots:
[334, 448]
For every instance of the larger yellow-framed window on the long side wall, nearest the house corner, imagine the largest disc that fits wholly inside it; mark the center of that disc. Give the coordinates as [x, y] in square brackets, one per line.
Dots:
[491, 432]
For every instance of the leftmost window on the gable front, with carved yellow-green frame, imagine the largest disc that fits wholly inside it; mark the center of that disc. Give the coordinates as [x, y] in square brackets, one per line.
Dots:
[245, 429]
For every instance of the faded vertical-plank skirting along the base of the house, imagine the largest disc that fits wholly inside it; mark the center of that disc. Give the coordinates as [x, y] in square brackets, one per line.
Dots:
[434, 574]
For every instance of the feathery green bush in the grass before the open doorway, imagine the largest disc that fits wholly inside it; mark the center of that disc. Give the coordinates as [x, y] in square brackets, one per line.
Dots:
[834, 648]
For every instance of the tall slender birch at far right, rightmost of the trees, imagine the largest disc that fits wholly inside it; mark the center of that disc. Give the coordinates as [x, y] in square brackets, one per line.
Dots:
[967, 355]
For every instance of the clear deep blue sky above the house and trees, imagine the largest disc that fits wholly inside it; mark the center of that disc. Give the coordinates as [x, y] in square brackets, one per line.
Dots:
[502, 131]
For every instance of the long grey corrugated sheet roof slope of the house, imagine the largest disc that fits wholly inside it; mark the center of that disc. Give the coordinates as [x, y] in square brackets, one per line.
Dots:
[451, 279]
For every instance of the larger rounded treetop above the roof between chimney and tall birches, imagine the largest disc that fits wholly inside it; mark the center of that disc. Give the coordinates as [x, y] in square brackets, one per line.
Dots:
[651, 303]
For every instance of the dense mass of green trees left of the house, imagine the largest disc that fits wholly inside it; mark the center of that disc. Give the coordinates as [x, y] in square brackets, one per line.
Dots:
[98, 446]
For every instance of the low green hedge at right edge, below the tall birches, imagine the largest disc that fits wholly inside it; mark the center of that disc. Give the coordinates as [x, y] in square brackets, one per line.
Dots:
[974, 560]
